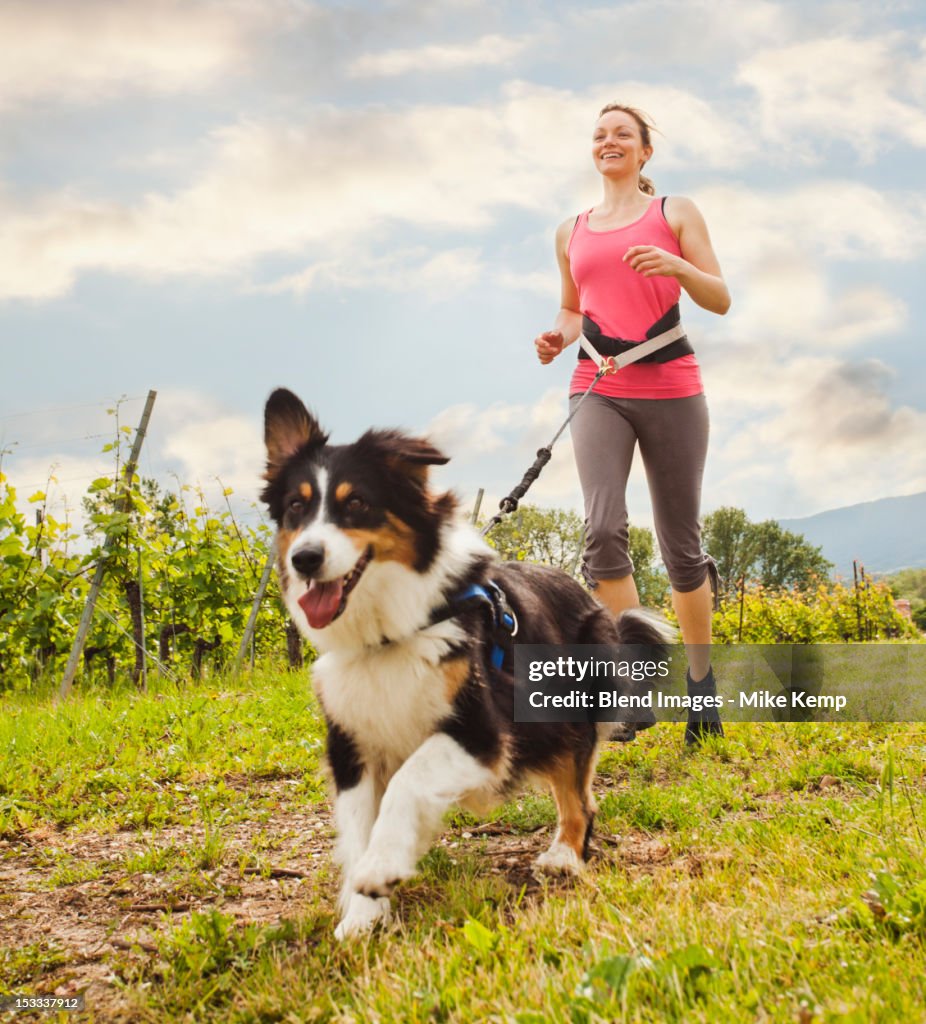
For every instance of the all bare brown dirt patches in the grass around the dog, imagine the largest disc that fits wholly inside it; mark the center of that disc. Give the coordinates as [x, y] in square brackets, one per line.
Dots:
[89, 935]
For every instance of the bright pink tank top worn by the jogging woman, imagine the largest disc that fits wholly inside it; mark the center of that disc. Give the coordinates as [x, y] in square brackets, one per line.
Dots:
[625, 306]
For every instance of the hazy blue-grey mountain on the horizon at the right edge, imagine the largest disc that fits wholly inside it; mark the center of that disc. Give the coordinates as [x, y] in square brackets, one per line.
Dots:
[885, 536]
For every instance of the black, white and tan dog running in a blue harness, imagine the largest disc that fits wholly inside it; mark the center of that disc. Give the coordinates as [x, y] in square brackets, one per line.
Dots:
[418, 705]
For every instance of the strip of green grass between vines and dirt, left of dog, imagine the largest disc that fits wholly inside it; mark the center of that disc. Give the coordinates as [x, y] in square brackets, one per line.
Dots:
[120, 760]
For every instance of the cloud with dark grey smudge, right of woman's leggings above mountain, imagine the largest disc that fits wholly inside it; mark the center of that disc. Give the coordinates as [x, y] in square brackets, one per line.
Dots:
[798, 435]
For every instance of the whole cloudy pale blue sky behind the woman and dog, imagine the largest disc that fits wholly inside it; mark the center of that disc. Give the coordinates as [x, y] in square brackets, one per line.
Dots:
[358, 202]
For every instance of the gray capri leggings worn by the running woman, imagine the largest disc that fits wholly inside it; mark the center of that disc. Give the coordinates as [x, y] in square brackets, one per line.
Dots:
[674, 440]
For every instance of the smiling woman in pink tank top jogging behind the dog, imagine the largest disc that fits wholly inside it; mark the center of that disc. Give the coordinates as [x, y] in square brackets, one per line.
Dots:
[624, 265]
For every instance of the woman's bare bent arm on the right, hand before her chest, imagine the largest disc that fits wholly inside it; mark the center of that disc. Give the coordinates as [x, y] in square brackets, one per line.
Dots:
[697, 269]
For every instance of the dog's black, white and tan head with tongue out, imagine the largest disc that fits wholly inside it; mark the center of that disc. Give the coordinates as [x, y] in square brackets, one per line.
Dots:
[340, 509]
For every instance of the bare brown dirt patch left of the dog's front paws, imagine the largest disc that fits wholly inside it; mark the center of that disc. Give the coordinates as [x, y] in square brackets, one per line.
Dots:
[97, 928]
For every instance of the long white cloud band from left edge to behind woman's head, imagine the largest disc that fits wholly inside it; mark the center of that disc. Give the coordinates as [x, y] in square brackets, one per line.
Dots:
[341, 181]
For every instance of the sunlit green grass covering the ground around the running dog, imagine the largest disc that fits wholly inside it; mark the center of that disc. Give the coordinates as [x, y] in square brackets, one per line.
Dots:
[777, 875]
